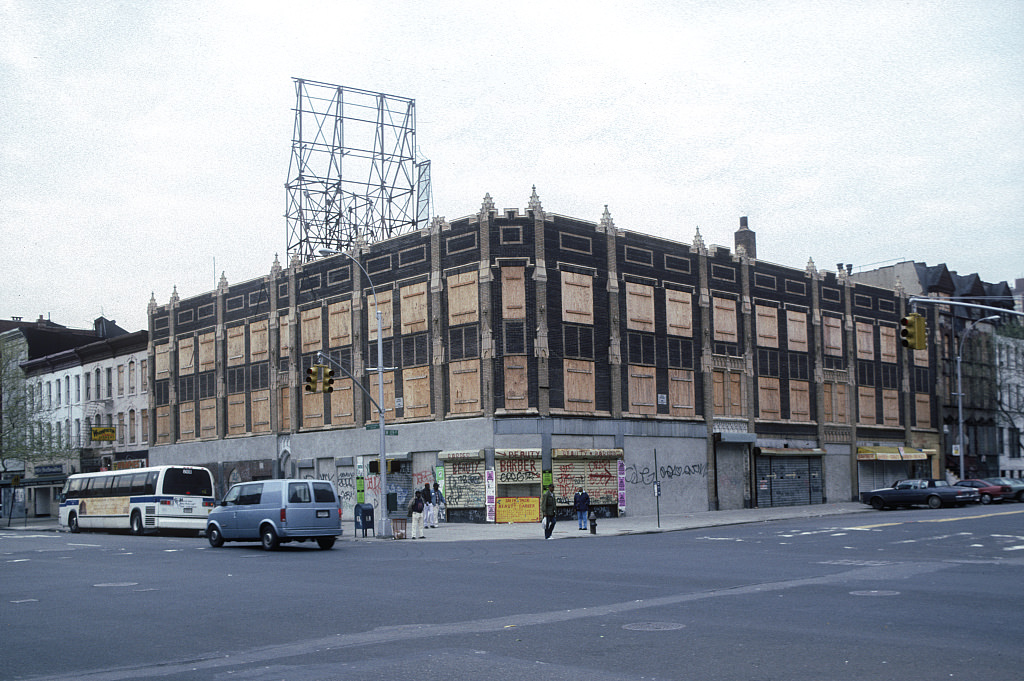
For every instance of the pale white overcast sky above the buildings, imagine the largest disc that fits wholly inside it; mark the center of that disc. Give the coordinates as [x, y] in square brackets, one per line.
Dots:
[146, 145]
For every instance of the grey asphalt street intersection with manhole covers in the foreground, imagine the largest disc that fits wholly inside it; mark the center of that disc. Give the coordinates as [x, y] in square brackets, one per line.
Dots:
[917, 594]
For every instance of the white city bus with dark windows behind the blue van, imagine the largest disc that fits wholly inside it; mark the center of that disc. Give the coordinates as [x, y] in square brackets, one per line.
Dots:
[140, 500]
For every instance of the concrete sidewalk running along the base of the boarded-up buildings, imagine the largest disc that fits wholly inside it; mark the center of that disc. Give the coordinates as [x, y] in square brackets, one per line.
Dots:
[568, 529]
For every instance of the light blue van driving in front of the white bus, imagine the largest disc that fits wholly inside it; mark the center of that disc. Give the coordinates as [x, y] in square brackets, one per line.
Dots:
[274, 513]
